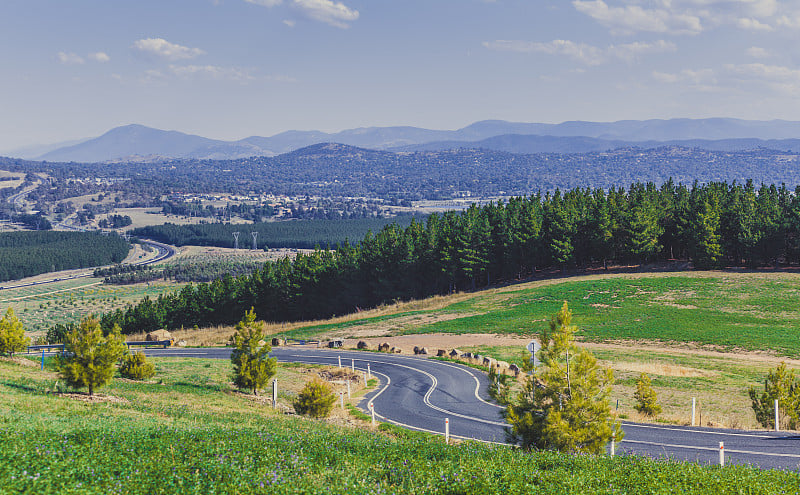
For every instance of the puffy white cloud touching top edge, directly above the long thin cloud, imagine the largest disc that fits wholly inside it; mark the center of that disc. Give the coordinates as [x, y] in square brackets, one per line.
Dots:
[634, 18]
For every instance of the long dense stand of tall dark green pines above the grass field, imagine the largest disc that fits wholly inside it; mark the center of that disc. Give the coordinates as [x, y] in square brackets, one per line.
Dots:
[712, 225]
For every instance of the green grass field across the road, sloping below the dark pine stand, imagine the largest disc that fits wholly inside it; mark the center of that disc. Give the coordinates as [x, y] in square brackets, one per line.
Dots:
[747, 311]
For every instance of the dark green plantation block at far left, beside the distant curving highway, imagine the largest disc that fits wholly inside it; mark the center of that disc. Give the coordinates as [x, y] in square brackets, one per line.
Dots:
[25, 254]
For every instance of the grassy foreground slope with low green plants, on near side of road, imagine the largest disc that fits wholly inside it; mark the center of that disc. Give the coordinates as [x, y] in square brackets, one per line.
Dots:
[192, 433]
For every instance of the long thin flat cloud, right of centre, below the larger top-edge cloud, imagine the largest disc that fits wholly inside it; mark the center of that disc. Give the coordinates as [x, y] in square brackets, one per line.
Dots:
[584, 53]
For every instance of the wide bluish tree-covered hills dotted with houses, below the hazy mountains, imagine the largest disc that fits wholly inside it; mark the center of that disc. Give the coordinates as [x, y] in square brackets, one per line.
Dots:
[338, 170]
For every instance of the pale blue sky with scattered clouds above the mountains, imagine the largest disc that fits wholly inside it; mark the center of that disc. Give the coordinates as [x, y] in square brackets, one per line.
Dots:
[229, 69]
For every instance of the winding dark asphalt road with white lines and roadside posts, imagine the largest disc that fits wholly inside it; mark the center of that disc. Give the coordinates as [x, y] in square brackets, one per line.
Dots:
[419, 393]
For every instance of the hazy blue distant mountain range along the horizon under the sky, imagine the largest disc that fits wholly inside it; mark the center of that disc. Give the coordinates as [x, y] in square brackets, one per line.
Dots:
[140, 143]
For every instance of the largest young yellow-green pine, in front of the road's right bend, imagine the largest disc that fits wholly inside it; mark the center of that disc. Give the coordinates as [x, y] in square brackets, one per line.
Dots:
[568, 410]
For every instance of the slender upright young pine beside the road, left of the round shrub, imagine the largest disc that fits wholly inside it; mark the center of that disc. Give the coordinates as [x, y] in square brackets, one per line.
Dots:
[252, 366]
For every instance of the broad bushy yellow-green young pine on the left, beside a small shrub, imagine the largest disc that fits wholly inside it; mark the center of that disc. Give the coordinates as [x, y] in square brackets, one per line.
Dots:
[89, 357]
